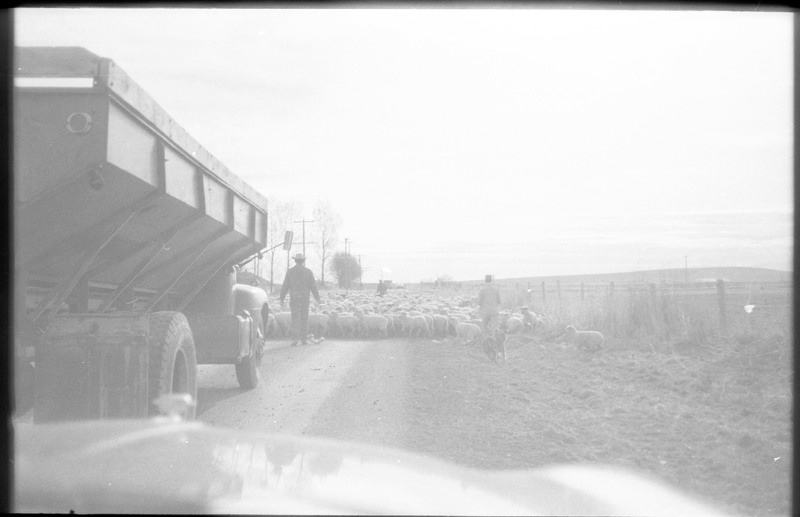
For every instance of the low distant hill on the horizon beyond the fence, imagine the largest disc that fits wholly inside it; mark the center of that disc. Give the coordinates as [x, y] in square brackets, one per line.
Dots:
[709, 274]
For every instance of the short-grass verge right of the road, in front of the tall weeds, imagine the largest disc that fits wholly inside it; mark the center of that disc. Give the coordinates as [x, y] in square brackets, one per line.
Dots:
[713, 420]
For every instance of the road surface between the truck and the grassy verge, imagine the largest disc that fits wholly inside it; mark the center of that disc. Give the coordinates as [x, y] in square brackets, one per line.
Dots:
[351, 390]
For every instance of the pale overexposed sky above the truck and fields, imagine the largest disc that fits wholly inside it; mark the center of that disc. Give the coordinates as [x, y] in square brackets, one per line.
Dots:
[462, 142]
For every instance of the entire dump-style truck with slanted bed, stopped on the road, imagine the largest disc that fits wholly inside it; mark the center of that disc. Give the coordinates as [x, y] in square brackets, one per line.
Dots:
[127, 238]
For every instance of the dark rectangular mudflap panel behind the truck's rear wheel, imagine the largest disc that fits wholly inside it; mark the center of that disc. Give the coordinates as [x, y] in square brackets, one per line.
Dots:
[91, 367]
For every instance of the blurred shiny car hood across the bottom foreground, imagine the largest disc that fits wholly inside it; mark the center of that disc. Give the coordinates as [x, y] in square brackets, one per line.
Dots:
[165, 466]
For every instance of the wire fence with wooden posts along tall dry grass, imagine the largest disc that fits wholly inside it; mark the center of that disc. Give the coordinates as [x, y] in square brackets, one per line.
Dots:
[694, 311]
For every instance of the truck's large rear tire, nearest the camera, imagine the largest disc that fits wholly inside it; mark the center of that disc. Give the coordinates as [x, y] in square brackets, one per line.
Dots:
[173, 360]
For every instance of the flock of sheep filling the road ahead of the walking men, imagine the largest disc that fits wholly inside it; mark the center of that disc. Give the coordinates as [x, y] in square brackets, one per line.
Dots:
[401, 313]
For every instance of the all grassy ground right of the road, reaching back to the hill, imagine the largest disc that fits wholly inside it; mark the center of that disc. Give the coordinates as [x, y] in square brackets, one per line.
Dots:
[690, 387]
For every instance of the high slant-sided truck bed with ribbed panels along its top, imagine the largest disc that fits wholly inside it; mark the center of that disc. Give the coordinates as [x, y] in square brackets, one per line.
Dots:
[111, 195]
